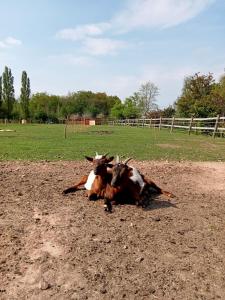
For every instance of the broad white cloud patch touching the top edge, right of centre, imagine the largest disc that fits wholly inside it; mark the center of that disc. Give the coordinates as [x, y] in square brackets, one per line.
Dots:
[160, 13]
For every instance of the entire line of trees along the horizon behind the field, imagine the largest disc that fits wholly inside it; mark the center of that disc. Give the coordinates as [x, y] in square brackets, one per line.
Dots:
[201, 96]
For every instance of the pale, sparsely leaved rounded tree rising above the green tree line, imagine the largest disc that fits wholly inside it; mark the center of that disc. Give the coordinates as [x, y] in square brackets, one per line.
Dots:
[147, 97]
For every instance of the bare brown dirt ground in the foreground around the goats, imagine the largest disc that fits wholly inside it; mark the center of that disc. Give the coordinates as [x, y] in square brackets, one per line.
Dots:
[66, 247]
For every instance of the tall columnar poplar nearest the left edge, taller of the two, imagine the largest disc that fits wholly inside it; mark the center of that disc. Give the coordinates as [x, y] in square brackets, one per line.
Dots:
[8, 91]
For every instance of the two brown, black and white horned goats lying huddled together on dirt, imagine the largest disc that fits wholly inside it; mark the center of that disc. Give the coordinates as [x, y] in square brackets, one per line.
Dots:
[117, 183]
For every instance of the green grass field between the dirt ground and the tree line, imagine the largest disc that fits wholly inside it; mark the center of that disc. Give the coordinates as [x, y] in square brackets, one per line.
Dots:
[47, 142]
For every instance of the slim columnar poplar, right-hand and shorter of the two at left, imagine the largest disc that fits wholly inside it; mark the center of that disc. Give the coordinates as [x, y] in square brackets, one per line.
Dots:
[25, 95]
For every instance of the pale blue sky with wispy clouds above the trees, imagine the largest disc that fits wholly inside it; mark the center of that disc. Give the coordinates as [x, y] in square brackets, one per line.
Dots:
[112, 46]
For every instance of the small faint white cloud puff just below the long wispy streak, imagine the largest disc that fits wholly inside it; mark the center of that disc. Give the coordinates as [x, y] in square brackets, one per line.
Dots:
[102, 46]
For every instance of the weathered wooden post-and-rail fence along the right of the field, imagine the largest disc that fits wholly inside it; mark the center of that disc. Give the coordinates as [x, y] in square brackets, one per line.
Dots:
[213, 126]
